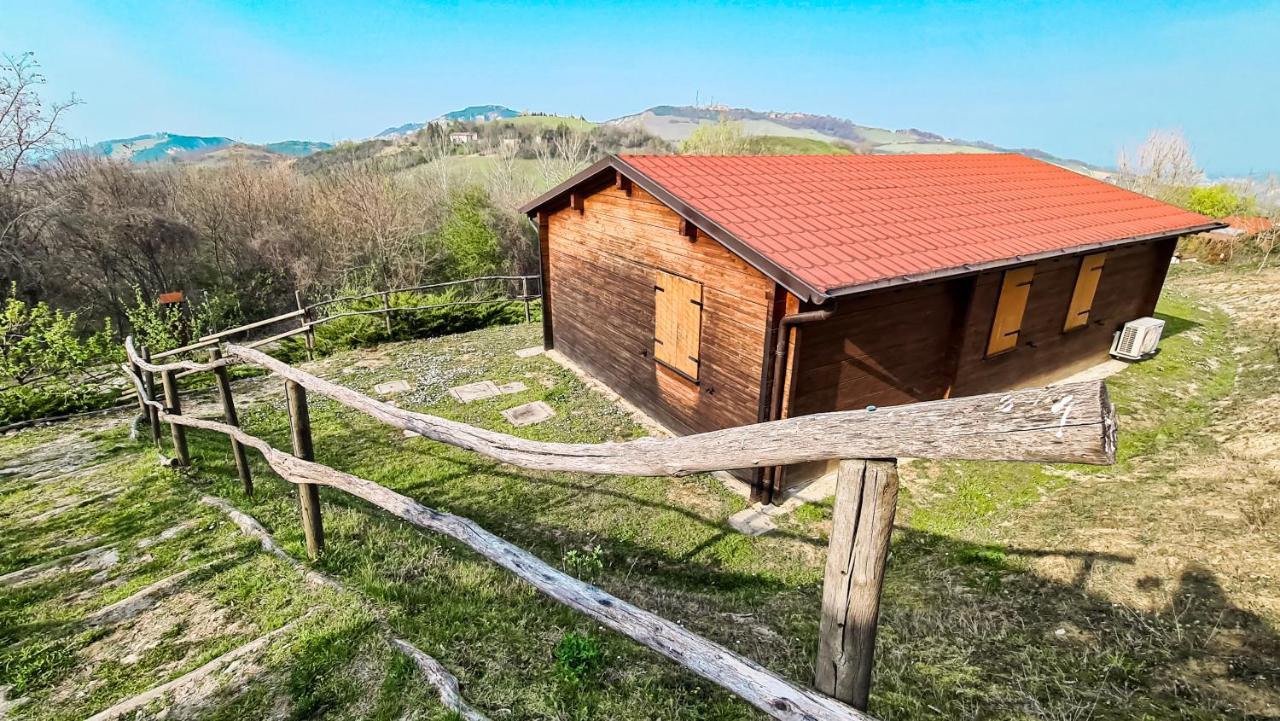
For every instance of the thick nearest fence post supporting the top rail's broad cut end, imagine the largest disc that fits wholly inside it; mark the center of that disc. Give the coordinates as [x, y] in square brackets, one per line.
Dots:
[861, 530]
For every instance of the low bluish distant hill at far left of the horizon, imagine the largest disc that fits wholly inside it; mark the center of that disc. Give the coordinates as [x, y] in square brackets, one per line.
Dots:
[173, 148]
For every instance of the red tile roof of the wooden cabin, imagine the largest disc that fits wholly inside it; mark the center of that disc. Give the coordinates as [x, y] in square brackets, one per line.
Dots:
[856, 221]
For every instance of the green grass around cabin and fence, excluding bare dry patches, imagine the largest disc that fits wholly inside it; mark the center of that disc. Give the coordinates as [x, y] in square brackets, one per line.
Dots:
[967, 629]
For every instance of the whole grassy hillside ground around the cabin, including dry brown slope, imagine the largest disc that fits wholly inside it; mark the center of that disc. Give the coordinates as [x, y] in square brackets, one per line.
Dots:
[1142, 591]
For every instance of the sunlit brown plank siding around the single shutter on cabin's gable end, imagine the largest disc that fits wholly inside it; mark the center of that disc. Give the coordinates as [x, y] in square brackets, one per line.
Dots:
[604, 263]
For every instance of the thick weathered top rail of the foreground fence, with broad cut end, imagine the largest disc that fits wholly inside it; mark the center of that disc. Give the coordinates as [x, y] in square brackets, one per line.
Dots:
[1071, 423]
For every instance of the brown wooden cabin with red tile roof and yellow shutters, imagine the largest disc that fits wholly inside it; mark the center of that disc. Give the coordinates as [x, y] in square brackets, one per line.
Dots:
[714, 293]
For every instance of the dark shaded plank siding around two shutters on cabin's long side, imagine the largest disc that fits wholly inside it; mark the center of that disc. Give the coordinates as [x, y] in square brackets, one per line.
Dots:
[902, 346]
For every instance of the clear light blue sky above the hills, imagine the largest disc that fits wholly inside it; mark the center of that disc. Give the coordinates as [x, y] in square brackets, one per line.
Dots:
[1078, 80]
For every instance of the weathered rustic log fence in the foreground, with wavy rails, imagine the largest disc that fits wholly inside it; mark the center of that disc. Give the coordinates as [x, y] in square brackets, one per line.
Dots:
[1071, 423]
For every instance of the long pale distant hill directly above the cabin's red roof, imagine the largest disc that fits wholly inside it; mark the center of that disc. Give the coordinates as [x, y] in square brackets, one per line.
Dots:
[675, 124]
